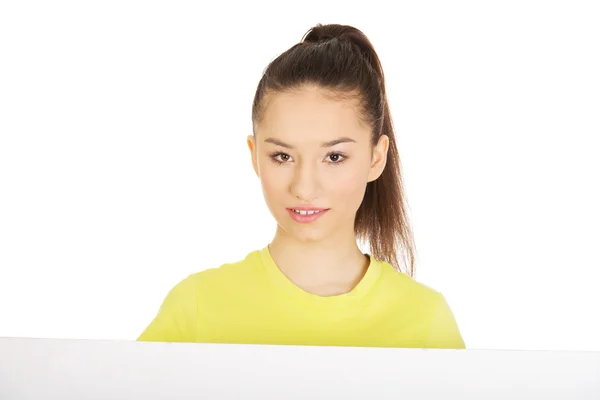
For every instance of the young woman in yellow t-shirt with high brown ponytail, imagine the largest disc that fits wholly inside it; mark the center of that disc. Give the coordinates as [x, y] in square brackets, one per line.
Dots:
[323, 146]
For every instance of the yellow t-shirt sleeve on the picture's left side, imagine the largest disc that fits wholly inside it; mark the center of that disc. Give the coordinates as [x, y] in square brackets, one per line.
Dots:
[176, 320]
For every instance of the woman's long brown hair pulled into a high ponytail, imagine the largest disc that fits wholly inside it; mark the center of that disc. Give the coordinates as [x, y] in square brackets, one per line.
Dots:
[341, 59]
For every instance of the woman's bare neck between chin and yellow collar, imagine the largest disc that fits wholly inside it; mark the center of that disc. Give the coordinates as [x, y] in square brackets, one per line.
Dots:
[331, 266]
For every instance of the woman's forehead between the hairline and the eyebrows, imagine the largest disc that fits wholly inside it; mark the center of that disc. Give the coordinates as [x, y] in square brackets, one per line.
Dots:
[311, 115]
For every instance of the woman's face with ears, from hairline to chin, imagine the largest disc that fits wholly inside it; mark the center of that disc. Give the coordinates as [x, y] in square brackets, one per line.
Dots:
[313, 153]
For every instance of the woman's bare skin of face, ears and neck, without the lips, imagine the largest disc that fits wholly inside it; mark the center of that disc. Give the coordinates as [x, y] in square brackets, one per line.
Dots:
[299, 163]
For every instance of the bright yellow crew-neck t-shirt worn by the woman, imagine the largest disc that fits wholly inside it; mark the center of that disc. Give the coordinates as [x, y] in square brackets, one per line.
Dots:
[253, 302]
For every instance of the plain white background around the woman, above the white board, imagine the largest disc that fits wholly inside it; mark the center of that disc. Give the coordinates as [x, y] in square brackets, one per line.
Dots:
[124, 167]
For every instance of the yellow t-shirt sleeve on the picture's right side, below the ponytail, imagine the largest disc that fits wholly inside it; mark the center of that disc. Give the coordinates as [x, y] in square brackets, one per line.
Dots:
[444, 332]
